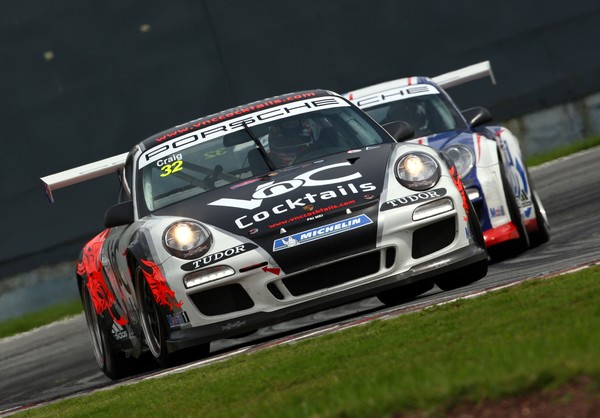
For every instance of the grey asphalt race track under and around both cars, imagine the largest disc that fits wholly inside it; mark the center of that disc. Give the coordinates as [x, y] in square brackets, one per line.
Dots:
[57, 361]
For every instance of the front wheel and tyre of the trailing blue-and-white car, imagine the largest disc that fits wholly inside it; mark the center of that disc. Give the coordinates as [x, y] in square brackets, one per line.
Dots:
[516, 246]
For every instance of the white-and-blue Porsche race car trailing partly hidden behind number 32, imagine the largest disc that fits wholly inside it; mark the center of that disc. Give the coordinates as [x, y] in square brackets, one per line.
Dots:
[488, 158]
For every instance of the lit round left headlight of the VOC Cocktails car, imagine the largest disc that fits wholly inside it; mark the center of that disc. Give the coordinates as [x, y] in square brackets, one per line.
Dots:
[187, 239]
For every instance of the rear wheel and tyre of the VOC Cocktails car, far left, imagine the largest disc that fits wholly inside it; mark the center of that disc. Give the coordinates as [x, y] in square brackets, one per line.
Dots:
[113, 363]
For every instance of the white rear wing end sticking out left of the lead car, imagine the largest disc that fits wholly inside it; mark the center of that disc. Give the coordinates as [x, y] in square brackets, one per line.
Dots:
[82, 173]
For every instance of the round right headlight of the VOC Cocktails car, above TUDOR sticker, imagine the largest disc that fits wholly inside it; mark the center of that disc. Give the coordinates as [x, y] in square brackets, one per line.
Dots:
[417, 171]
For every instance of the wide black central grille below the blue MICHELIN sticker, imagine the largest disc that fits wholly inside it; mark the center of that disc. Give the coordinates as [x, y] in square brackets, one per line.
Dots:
[337, 273]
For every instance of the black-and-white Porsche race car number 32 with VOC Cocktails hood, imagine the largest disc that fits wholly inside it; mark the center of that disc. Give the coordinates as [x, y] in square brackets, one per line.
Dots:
[263, 213]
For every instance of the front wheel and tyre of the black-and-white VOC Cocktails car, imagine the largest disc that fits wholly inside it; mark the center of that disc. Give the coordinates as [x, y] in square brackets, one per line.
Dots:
[155, 329]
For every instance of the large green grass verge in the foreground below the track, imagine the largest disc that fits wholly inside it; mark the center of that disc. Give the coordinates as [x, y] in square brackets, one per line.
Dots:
[533, 336]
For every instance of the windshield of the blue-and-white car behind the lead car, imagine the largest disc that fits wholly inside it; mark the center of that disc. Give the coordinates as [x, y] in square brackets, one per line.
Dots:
[427, 114]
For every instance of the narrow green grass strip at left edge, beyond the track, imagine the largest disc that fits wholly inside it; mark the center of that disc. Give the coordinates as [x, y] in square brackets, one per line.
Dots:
[42, 317]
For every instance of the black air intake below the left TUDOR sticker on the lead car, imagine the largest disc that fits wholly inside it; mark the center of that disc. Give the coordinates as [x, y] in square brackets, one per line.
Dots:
[222, 300]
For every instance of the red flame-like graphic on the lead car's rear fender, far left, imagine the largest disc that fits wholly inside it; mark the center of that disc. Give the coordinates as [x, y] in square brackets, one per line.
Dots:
[90, 267]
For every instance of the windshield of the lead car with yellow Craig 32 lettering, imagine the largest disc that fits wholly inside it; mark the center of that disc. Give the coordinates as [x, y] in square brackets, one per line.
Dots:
[191, 166]
